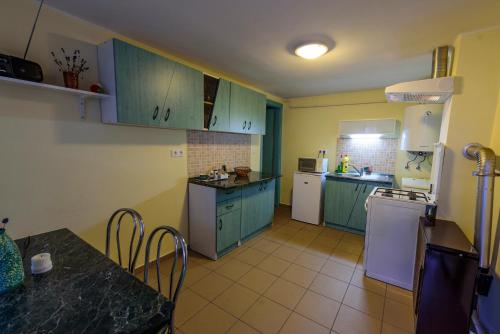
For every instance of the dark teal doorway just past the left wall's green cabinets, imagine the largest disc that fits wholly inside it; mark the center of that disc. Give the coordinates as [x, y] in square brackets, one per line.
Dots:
[271, 144]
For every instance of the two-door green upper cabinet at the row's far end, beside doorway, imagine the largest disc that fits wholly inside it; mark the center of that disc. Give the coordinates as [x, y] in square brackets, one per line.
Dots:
[247, 110]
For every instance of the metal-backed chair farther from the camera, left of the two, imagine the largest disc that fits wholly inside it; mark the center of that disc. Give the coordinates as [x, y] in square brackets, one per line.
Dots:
[133, 252]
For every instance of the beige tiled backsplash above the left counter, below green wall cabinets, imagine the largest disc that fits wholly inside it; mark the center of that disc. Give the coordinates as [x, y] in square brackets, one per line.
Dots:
[209, 150]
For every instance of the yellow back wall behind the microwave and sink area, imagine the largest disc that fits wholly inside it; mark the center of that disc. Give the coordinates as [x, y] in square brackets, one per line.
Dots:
[309, 126]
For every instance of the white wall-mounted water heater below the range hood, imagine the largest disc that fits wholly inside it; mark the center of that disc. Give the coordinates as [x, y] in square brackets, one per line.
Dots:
[421, 127]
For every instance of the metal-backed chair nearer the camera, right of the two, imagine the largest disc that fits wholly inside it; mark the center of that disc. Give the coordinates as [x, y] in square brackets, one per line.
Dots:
[179, 246]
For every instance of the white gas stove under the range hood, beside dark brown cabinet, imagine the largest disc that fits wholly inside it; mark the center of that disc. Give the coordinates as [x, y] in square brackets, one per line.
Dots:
[391, 234]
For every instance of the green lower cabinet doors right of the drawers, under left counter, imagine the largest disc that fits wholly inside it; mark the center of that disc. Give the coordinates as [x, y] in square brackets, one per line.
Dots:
[257, 207]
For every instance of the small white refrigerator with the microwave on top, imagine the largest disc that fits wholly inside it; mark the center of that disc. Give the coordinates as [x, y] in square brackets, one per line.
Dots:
[308, 192]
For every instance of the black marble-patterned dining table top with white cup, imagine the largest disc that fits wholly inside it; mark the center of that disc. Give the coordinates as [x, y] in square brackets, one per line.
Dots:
[85, 292]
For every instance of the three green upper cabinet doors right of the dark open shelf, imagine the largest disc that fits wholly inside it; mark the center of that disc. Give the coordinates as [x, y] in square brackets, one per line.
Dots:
[238, 109]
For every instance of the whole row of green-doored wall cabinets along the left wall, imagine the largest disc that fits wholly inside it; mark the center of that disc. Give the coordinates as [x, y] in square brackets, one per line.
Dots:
[150, 90]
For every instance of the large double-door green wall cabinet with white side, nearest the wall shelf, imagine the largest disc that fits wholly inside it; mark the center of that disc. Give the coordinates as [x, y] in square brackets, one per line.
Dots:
[145, 85]
